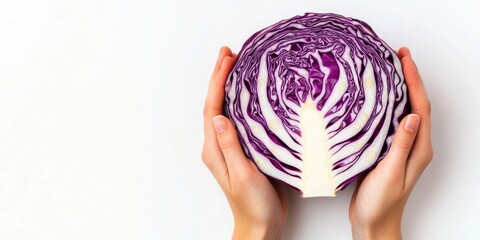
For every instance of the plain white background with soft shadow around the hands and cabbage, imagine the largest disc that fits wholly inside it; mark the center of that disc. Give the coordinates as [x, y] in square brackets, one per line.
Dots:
[101, 117]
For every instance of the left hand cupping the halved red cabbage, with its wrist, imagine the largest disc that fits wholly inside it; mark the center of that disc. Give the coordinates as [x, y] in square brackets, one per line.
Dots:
[258, 206]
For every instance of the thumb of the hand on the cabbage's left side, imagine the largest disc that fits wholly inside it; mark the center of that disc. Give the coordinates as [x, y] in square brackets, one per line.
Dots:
[229, 144]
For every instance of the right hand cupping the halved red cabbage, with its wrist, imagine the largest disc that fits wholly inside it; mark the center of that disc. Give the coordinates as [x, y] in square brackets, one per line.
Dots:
[377, 204]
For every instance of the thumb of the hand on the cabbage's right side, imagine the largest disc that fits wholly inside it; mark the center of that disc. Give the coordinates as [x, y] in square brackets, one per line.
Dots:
[402, 143]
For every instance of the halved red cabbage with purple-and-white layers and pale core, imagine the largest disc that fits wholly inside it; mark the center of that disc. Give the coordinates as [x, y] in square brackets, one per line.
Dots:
[316, 100]
